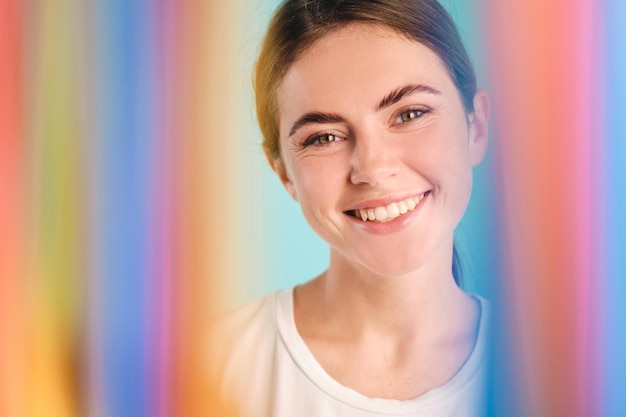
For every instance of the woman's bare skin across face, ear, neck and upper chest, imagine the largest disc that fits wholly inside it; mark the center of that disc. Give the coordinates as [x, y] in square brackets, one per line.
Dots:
[386, 318]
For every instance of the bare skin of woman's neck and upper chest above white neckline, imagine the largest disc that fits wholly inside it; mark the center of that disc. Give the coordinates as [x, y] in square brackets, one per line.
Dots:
[382, 338]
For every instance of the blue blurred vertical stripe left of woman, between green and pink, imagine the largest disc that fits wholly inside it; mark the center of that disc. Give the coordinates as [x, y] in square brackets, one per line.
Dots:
[123, 121]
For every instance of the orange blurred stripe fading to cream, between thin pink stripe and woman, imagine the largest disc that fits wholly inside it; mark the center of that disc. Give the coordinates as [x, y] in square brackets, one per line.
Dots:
[205, 142]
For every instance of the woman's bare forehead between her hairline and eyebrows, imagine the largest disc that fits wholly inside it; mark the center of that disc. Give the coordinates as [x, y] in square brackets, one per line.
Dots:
[357, 66]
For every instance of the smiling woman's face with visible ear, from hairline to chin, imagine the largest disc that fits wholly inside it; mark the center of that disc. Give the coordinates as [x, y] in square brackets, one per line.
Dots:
[377, 148]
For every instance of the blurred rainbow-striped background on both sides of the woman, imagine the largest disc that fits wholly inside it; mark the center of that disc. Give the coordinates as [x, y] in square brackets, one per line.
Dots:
[135, 202]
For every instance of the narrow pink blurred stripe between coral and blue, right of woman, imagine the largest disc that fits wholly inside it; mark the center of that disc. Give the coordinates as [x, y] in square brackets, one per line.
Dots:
[585, 70]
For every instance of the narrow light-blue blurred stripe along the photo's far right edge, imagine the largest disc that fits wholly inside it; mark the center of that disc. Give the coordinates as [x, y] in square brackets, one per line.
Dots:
[614, 300]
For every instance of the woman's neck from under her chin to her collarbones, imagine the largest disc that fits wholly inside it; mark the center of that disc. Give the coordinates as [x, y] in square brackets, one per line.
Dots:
[426, 301]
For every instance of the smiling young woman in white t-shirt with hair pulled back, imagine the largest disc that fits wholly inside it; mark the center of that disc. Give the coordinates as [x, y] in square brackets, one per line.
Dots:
[372, 120]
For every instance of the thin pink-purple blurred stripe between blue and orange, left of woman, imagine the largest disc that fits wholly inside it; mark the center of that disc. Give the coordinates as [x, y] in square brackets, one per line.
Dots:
[160, 323]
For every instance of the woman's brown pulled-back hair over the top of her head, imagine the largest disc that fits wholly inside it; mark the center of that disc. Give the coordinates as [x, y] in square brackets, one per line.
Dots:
[298, 24]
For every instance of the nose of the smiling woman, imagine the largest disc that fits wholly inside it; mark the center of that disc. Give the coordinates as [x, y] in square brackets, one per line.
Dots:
[372, 160]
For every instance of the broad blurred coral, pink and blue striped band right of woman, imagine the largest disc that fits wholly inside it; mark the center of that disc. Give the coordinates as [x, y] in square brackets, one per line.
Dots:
[558, 79]
